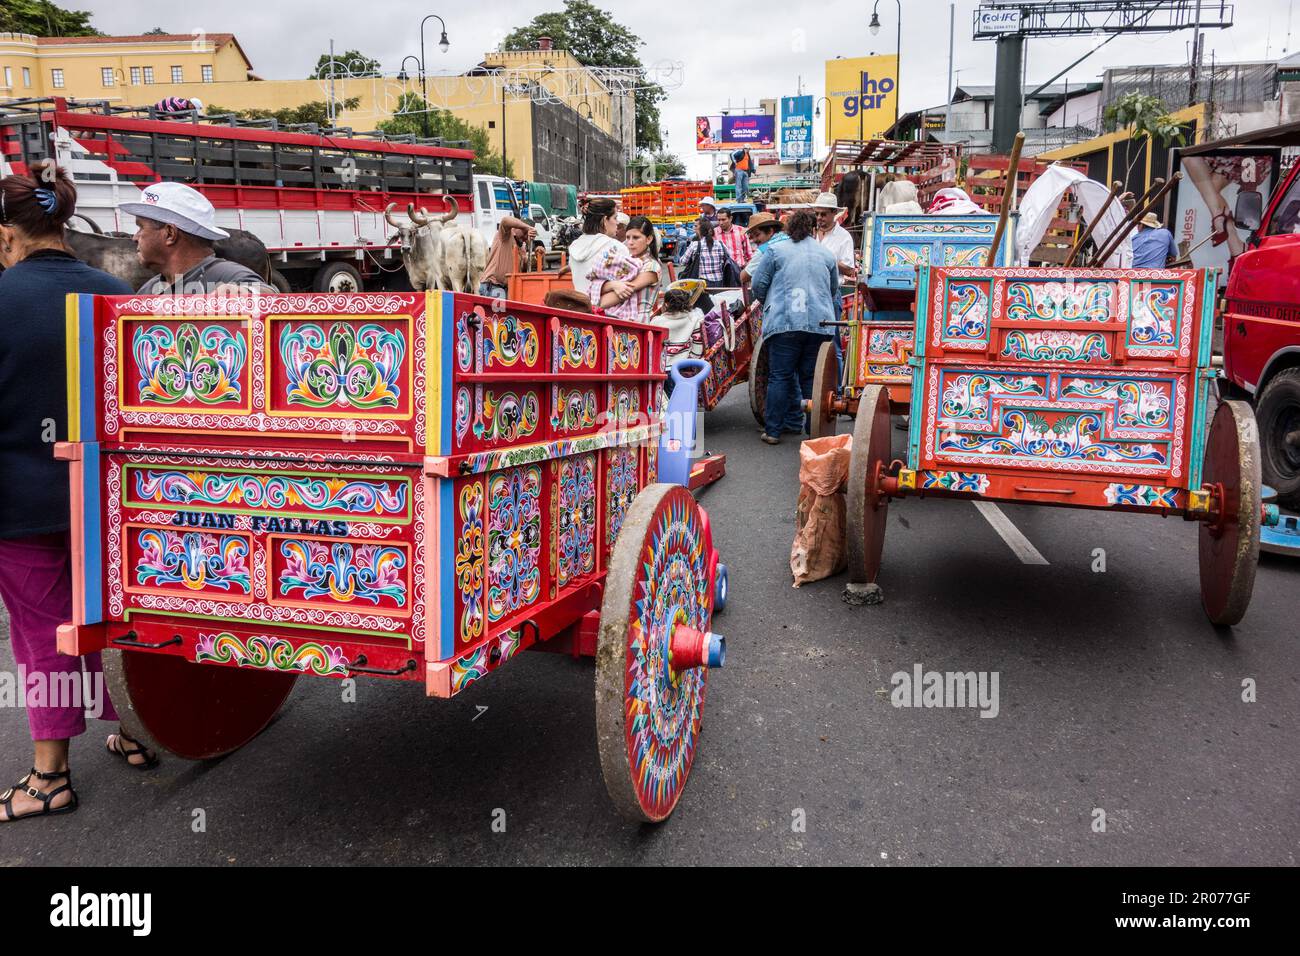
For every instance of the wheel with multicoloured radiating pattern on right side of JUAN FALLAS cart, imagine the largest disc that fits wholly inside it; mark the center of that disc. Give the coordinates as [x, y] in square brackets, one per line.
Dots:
[653, 655]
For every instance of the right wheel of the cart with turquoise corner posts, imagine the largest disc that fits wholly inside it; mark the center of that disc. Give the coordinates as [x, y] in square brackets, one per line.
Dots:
[1230, 544]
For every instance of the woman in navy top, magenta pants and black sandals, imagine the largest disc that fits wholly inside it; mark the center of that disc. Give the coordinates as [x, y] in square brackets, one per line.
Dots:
[36, 563]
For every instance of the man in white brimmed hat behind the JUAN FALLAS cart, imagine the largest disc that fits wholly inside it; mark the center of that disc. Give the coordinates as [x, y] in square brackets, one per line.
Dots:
[175, 231]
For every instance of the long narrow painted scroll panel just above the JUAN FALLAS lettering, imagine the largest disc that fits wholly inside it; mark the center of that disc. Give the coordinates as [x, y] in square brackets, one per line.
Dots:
[272, 492]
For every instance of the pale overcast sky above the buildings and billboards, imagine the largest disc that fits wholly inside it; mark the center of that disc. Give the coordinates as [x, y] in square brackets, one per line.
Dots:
[731, 54]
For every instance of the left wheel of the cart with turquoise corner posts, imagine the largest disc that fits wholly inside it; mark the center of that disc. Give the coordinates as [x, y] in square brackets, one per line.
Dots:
[866, 509]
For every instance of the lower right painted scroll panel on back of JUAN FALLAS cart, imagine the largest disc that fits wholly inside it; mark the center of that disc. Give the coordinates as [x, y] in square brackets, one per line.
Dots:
[343, 572]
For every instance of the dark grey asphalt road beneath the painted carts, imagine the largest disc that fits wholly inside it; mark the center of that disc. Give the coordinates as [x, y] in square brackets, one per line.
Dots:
[1115, 695]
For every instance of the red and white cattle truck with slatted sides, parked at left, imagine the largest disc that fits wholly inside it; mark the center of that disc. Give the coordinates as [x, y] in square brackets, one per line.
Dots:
[317, 198]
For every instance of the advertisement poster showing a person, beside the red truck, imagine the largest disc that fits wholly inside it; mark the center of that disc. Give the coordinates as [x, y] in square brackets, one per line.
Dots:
[1221, 201]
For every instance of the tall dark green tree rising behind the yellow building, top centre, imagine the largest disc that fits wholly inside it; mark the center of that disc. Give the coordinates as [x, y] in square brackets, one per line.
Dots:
[596, 40]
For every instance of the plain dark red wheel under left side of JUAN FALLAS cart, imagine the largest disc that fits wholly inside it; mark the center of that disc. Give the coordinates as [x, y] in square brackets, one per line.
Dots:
[196, 711]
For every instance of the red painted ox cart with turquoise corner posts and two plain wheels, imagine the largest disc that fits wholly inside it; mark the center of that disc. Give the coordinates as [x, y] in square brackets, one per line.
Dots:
[1077, 388]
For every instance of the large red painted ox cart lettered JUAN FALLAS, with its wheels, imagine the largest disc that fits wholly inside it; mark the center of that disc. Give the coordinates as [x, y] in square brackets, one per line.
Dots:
[408, 487]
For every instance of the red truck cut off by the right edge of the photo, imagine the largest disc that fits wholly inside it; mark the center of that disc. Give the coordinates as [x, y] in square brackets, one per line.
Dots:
[1262, 338]
